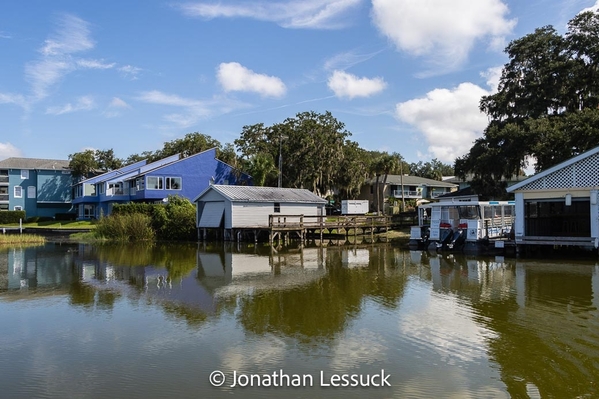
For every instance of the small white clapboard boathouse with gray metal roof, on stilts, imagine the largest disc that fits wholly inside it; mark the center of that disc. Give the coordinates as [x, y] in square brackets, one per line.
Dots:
[245, 207]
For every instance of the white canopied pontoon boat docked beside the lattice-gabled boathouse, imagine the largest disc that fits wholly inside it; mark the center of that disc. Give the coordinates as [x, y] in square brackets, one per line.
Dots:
[462, 224]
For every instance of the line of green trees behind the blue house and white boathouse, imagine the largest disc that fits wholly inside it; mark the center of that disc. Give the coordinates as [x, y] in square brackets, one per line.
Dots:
[312, 151]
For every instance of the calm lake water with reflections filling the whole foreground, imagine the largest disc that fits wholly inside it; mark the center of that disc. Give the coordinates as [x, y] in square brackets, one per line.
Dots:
[83, 321]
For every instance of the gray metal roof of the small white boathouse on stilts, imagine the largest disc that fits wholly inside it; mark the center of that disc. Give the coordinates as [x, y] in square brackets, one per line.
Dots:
[264, 194]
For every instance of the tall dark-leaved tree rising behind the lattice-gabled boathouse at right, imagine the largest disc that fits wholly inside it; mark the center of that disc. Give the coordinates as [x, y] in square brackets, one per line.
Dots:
[545, 106]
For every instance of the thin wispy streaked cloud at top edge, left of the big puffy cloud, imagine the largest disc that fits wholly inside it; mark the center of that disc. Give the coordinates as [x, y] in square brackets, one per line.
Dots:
[309, 14]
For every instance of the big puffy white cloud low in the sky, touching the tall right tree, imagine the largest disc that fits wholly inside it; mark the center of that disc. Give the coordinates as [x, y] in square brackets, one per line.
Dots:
[449, 120]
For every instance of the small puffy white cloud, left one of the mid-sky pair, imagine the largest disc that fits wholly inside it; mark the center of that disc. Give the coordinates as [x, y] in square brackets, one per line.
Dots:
[235, 77]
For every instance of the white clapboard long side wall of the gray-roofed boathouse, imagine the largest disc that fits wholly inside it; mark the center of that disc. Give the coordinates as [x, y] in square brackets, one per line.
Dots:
[255, 214]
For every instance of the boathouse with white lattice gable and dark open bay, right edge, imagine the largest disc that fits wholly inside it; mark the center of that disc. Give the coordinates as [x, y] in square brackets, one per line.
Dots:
[559, 206]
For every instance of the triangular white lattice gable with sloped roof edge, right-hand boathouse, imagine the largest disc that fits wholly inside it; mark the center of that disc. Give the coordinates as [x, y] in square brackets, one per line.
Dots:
[577, 172]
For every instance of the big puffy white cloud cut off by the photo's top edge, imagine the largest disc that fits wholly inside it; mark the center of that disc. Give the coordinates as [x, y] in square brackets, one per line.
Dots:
[443, 31]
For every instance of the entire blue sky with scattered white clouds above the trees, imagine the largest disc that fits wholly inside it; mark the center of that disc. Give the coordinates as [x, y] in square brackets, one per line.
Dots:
[403, 75]
